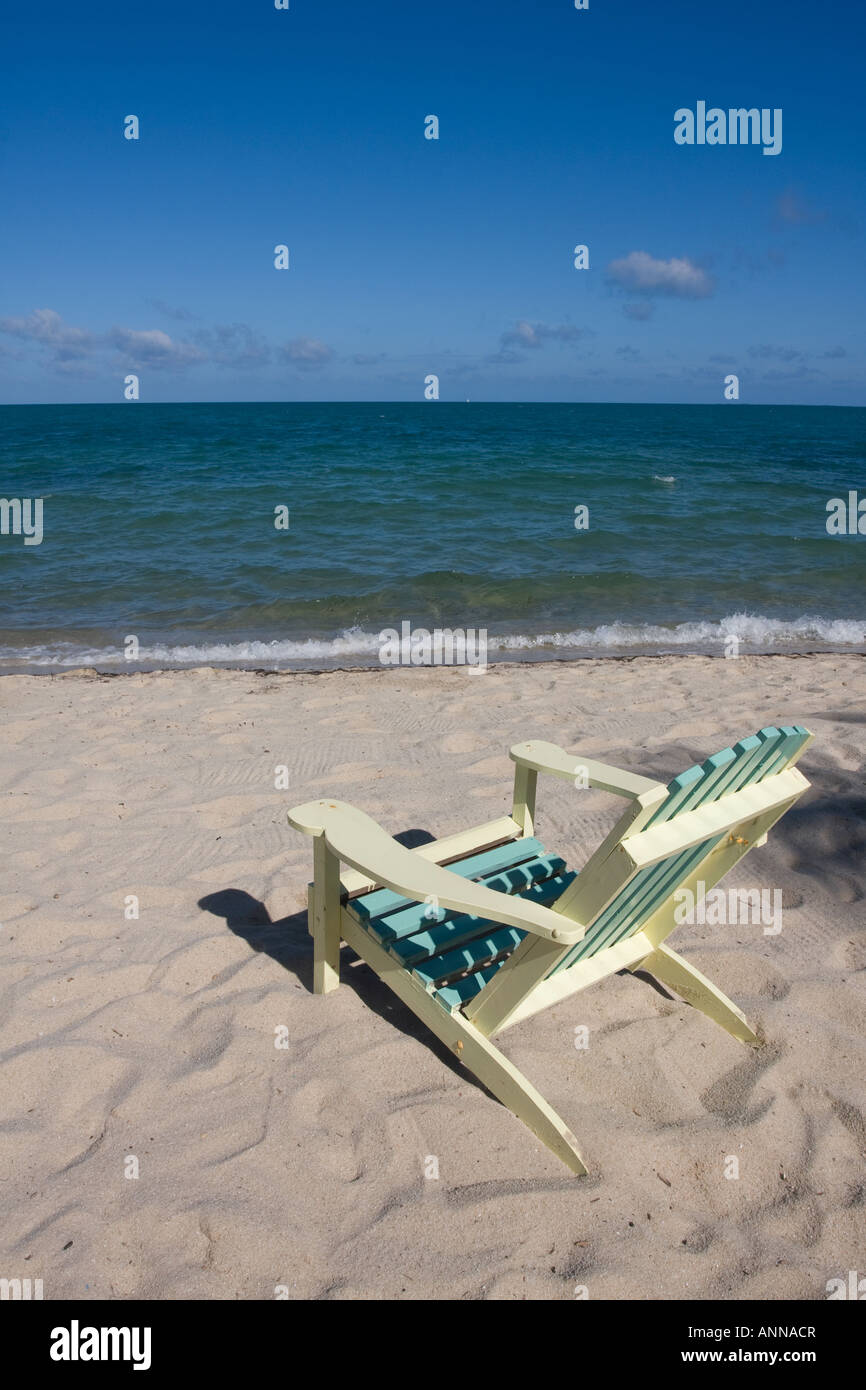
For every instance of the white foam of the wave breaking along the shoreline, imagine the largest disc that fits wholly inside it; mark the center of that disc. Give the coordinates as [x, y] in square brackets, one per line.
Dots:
[359, 647]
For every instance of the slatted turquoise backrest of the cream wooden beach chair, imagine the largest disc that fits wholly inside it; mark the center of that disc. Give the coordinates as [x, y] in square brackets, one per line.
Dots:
[751, 762]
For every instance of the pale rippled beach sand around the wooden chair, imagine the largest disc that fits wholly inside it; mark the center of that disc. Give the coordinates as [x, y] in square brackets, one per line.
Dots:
[148, 1045]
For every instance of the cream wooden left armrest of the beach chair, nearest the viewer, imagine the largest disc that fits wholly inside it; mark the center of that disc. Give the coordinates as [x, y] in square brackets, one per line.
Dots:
[359, 842]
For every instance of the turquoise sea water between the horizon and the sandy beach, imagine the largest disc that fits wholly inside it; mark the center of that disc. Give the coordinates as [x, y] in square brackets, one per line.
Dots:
[159, 522]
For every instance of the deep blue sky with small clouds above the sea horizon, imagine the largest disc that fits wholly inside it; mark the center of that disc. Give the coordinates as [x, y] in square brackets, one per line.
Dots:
[412, 256]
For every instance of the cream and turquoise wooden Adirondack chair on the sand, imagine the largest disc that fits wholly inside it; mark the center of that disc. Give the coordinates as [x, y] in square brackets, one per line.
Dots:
[480, 931]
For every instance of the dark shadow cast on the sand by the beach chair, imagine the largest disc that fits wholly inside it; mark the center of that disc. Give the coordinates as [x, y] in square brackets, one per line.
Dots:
[290, 945]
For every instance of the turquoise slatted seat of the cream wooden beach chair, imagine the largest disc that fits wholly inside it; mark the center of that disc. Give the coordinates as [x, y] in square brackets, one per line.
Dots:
[454, 954]
